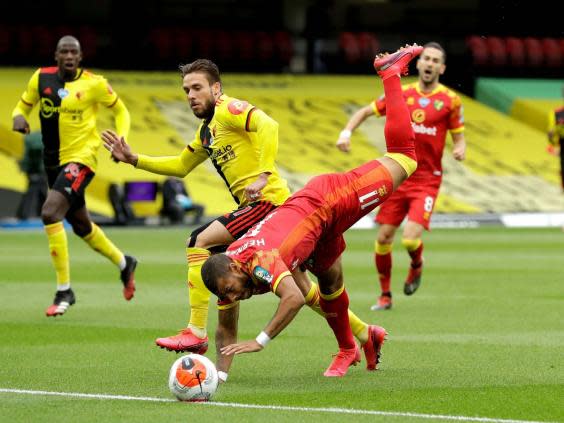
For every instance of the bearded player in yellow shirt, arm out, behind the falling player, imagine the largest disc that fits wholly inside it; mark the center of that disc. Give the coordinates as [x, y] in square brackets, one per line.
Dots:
[242, 142]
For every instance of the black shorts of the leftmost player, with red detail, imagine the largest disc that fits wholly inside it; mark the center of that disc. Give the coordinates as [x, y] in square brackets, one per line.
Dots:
[70, 180]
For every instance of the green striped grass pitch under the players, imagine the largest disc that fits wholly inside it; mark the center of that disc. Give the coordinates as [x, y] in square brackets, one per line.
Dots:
[482, 338]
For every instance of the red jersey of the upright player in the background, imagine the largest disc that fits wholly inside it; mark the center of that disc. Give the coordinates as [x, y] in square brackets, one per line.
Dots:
[432, 115]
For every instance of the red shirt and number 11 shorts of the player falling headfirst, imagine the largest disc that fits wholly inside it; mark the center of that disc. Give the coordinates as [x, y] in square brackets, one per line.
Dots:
[308, 228]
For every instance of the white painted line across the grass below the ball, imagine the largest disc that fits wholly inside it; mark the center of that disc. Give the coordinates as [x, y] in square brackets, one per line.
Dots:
[274, 407]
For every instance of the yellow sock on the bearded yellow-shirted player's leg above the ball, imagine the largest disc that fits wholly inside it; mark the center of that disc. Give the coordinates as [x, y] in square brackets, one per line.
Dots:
[198, 293]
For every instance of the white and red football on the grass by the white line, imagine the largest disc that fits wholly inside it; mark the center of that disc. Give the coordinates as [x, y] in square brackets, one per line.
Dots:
[193, 377]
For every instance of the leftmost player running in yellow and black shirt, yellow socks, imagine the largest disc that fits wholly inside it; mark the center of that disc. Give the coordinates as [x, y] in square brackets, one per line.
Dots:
[68, 98]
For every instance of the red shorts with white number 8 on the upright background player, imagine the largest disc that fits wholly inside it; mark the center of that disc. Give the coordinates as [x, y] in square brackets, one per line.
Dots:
[416, 201]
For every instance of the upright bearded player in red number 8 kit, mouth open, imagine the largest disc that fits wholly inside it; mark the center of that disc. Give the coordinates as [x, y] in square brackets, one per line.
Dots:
[434, 110]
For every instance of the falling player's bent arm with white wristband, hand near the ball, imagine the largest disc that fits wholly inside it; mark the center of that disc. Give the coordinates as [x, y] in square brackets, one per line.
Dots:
[291, 301]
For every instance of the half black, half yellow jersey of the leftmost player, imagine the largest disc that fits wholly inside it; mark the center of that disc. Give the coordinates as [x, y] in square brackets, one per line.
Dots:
[67, 112]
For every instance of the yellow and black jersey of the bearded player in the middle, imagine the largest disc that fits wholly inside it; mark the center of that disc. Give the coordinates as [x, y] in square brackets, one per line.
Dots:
[241, 141]
